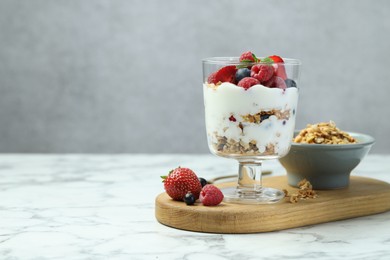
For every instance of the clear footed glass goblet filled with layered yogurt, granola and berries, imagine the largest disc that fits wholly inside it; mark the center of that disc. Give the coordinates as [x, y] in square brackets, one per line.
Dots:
[250, 111]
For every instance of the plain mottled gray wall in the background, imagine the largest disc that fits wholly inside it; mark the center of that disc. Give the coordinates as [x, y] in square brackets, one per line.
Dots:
[125, 76]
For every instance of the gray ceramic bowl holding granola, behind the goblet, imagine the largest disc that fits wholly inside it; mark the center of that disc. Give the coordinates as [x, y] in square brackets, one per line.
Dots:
[326, 166]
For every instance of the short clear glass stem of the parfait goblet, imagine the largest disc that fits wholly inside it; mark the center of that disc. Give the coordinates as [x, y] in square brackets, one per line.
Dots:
[249, 178]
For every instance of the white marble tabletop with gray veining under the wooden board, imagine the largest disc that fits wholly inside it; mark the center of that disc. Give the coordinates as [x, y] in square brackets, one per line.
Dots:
[102, 207]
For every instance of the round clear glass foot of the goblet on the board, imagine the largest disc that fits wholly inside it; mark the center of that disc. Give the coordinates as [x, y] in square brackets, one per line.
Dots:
[264, 196]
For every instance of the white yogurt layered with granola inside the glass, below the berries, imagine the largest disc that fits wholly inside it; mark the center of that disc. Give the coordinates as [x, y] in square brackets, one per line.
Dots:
[256, 121]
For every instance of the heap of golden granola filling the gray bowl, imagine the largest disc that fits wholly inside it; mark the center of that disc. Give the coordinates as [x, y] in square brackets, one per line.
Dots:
[323, 133]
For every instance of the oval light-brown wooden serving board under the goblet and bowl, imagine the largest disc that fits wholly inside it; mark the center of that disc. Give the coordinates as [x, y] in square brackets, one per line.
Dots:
[364, 196]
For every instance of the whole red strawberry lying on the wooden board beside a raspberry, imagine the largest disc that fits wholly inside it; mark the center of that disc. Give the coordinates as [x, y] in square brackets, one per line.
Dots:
[180, 181]
